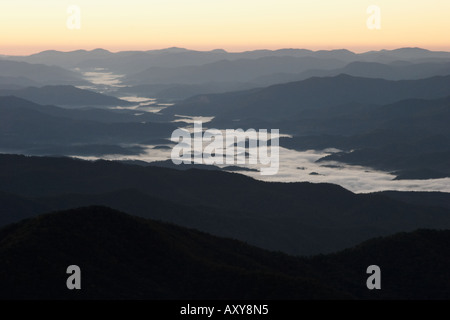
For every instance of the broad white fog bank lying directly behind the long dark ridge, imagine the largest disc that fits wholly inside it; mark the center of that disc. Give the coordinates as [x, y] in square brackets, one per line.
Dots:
[296, 166]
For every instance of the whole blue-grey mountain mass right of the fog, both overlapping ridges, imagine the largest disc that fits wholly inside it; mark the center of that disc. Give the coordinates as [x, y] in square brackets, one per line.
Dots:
[396, 126]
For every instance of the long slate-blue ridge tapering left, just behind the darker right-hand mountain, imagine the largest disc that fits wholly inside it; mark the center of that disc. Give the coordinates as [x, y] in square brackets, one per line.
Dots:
[287, 101]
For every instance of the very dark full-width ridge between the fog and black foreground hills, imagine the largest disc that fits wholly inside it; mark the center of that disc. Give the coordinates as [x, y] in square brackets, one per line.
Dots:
[297, 218]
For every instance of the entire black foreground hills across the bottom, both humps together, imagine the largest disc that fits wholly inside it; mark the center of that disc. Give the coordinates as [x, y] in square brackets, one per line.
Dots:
[124, 257]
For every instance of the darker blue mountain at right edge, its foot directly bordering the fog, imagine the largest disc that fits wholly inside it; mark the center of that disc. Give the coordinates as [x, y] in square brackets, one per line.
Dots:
[410, 138]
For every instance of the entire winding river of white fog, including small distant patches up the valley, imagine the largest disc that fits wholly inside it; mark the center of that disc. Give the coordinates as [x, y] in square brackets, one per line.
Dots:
[294, 166]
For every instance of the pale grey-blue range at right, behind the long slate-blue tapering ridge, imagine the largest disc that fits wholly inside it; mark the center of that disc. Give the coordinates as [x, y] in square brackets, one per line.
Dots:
[219, 77]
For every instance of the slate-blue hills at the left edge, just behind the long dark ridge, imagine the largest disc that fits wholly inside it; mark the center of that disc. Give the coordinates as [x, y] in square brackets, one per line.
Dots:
[30, 128]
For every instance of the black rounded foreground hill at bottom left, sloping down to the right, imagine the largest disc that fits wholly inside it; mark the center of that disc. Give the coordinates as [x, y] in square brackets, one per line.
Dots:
[123, 257]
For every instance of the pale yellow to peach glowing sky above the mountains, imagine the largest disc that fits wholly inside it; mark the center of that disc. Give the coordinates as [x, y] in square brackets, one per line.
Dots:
[29, 26]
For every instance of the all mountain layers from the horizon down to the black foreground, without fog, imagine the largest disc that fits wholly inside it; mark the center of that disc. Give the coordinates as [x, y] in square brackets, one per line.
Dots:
[388, 110]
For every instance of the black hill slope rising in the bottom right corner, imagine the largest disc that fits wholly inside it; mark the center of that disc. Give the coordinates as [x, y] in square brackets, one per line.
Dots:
[413, 266]
